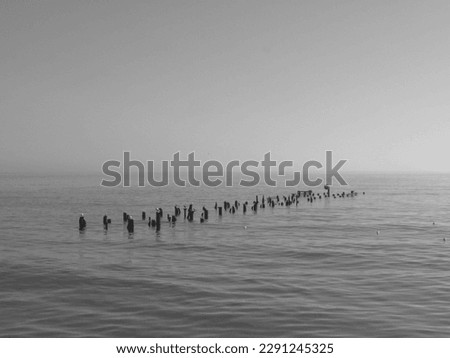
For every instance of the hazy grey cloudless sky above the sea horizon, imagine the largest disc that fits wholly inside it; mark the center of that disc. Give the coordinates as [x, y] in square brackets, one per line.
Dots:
[80, 82]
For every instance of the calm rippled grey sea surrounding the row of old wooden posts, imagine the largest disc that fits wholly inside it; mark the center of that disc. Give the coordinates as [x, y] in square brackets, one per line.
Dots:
[314, 270]
